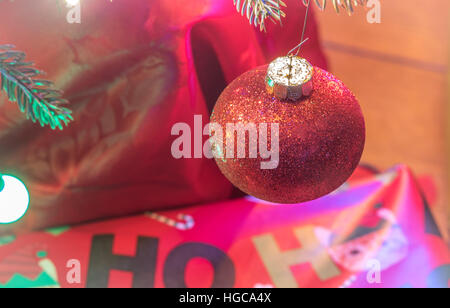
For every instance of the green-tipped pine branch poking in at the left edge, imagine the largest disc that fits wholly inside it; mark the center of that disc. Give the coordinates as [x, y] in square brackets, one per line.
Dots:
[35, 97]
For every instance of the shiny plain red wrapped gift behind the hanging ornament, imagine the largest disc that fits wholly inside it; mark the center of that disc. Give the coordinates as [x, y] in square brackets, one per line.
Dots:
[131, 69]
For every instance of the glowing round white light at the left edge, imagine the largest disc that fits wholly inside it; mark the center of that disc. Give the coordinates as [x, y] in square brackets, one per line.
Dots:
[14, 200]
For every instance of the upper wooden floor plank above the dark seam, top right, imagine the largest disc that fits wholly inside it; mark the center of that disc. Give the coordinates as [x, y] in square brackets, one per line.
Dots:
[414, 29]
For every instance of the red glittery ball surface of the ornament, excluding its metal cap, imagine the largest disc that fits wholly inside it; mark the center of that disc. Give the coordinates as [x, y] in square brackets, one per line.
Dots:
[321, 137]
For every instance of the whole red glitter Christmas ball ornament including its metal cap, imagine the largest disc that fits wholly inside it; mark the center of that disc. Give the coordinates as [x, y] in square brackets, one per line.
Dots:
[311, 119]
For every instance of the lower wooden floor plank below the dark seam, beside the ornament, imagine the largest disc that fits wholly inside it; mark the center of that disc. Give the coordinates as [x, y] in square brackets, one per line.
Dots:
[404, 111]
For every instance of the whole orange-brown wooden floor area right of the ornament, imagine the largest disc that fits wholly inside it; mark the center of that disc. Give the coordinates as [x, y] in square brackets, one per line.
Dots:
[398, 70]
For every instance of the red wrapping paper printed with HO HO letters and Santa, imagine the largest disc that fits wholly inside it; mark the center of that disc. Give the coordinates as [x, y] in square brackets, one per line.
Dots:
[375, 231]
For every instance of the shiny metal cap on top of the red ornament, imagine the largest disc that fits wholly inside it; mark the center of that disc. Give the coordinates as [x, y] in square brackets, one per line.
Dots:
[289, 78]
